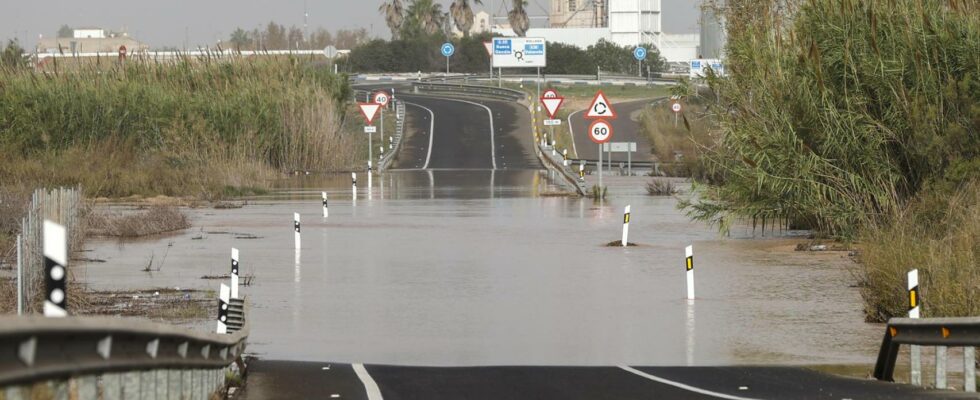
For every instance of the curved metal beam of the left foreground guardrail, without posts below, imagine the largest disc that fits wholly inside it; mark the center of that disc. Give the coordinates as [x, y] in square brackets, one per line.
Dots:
[36, 348]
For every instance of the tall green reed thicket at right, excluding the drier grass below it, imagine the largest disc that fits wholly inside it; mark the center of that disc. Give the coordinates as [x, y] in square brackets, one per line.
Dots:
[837, 112]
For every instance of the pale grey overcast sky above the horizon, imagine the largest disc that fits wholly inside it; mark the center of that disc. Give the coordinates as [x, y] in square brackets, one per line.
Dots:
[203, 22]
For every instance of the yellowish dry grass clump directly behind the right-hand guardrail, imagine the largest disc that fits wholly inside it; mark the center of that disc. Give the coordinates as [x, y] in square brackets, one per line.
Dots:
[939, 236]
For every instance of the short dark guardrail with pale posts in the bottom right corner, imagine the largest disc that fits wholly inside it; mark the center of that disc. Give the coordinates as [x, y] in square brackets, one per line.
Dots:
[941, 333]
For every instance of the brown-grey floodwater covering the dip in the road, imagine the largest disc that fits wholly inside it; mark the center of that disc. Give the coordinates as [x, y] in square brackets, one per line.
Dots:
[476, 268]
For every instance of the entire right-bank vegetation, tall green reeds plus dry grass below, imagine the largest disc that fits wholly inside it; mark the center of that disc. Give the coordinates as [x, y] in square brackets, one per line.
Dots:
[860, 120]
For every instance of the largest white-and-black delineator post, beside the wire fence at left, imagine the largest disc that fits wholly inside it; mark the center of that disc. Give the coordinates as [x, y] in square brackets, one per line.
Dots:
[55, 270]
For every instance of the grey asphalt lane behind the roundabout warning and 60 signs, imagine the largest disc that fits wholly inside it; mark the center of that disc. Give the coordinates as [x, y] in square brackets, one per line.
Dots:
[625, 129]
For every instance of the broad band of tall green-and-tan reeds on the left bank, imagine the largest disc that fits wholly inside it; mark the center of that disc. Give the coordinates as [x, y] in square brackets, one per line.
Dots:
[186, 128]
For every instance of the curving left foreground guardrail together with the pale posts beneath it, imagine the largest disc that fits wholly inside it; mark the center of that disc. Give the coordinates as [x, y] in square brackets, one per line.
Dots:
[119, 358]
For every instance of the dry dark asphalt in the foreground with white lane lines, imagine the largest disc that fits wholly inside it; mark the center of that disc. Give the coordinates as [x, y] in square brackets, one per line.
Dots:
[313, 380]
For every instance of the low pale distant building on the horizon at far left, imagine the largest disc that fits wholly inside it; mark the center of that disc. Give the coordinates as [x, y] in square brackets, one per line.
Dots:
[91, 40]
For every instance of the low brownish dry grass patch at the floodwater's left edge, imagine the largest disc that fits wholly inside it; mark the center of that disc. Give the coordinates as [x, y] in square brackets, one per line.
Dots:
[155, 220]
